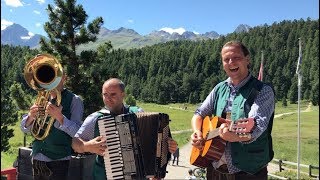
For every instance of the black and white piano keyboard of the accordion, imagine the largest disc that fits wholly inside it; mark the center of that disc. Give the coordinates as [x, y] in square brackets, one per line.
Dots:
[119, 157]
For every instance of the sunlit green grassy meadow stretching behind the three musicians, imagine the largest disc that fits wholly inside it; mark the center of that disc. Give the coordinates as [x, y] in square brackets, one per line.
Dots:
[284, 131]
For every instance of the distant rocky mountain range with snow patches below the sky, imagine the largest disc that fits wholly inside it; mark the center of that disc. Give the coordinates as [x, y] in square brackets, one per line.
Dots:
[124, 38]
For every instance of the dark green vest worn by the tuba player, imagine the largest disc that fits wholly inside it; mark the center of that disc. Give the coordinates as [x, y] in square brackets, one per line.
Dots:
[57, 144]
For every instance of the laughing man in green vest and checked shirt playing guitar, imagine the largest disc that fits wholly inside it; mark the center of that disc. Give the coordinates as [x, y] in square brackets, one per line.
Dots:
[241, 96]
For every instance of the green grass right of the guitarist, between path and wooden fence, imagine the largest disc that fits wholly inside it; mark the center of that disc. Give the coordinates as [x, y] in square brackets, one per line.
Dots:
[285, 136]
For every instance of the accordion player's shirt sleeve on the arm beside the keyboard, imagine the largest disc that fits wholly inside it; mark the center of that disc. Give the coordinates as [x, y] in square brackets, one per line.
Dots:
[86, 131]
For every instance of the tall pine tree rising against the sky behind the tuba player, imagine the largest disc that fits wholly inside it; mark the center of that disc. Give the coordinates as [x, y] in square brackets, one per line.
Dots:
[66, 31]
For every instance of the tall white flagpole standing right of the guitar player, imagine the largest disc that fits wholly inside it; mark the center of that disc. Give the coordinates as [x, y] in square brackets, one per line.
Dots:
[299, 93]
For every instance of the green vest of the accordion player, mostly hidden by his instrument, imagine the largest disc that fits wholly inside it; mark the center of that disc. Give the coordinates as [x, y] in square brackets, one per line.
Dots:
[99, 172]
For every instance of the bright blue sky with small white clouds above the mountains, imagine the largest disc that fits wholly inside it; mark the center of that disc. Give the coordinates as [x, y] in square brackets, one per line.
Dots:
[145, 16]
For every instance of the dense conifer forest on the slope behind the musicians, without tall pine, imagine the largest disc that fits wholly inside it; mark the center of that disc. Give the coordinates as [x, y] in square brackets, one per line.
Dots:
[186, 71]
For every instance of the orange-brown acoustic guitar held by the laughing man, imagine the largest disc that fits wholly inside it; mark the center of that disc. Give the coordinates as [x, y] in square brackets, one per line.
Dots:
[213, 145]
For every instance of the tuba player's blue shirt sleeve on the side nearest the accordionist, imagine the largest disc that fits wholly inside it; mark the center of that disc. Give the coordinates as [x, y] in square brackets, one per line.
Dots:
[72, 125]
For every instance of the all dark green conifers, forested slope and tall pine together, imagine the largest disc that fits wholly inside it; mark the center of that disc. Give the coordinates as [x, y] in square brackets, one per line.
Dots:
[181, 71]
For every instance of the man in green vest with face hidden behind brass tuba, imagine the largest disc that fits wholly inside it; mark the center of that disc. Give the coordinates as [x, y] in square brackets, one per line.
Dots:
[51, 153]
